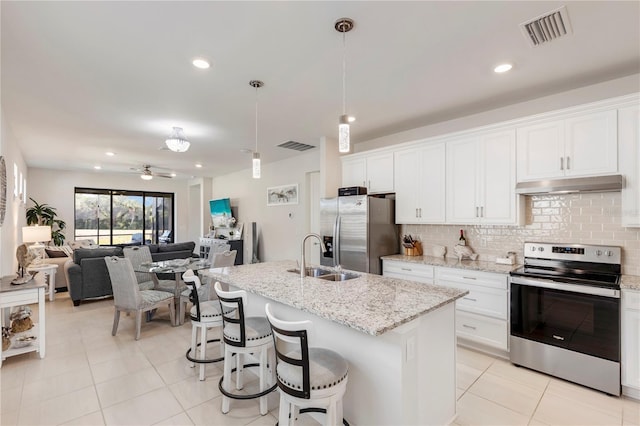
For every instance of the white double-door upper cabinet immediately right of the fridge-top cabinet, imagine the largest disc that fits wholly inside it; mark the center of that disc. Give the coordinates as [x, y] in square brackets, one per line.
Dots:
[420, 185]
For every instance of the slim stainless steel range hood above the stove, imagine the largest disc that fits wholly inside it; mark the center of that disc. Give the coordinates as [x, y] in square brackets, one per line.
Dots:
[565, 186]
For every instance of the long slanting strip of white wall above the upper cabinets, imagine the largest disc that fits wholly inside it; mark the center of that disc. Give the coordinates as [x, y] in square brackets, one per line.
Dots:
[583, 95]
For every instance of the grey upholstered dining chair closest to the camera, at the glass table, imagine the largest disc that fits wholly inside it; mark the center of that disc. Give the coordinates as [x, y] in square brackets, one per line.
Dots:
[128, 297]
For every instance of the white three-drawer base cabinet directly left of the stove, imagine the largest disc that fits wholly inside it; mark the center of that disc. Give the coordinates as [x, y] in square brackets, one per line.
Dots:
[482, 316]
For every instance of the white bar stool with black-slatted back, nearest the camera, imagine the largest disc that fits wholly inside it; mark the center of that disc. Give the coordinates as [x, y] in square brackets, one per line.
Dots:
[309, 379]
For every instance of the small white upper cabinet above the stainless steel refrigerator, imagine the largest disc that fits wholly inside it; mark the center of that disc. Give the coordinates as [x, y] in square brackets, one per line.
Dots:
[375, 172]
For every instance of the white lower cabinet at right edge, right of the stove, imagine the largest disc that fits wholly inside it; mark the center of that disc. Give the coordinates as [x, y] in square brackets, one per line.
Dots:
[631, 343]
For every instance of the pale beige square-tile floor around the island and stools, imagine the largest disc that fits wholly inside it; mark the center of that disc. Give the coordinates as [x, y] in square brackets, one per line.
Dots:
[89, 377]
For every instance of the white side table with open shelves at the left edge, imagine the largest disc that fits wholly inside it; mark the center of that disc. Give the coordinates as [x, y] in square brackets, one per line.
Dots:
[18, 295]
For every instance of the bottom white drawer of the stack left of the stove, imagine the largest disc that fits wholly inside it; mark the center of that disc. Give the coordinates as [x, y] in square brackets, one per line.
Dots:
[488, 331]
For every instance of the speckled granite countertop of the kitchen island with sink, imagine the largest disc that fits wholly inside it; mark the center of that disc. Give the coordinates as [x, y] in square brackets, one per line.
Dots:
[370, 303]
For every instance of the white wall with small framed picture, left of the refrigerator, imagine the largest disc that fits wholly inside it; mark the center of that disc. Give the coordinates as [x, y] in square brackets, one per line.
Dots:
[280, 228]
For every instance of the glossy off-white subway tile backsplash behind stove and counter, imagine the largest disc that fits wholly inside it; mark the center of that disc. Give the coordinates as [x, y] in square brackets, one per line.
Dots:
[592, 218]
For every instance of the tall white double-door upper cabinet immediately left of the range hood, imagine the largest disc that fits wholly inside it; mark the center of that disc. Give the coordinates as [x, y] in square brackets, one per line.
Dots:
[481, 179]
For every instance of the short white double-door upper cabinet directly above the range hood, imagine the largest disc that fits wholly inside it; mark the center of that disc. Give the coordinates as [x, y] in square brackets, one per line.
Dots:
[583, 145]
